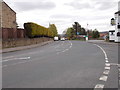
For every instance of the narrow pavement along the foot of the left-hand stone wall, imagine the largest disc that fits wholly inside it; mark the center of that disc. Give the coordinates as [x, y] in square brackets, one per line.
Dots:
[24, 47]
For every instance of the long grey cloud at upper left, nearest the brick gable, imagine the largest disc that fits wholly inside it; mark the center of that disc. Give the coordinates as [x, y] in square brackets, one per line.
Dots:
[28, 6]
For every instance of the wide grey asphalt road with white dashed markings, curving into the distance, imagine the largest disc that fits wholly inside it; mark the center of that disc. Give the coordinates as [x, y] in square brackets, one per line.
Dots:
[62, 64]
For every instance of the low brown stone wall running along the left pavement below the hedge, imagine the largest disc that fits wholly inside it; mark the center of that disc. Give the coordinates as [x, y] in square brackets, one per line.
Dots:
[23, 42]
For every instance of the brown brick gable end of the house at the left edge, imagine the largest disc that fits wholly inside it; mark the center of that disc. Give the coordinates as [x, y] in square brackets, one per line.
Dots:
[8, 16]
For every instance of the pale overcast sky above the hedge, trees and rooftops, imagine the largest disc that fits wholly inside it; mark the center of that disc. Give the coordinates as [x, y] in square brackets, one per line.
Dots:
[63, 13]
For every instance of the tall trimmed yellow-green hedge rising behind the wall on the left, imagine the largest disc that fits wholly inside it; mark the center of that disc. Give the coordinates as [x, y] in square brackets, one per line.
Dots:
[33, 29]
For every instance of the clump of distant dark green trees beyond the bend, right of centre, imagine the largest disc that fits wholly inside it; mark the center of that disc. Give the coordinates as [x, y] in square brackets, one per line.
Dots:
[71, 32]
